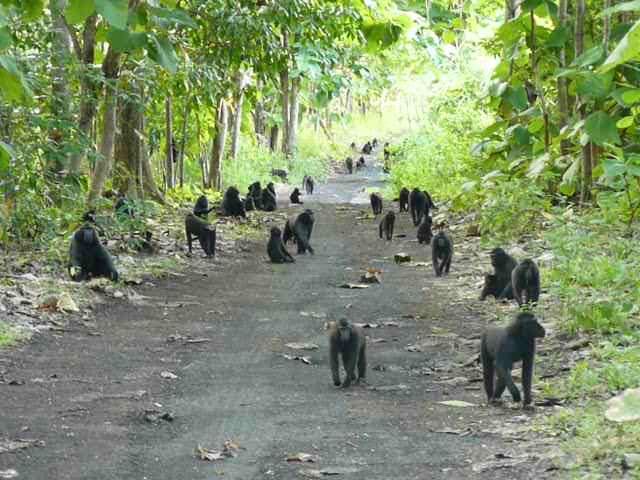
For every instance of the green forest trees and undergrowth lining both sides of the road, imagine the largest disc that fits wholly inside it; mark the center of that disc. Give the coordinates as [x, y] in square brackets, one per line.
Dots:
[522, 118]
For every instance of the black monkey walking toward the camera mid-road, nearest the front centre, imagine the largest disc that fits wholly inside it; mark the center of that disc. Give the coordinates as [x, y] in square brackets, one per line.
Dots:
[350, 342]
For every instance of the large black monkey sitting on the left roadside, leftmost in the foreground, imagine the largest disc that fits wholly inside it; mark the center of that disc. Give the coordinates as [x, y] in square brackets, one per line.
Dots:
[89, 255]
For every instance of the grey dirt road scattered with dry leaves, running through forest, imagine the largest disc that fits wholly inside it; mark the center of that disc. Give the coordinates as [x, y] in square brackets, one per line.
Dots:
[84, 391]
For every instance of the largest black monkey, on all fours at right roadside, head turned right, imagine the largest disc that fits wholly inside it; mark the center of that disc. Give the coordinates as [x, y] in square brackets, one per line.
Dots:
[501, 348]
